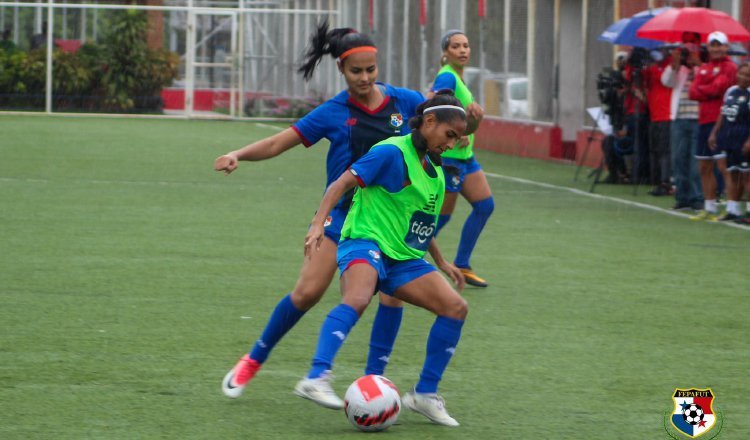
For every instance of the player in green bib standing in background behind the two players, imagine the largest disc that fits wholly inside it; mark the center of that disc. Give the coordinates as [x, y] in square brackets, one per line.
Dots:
[469, 179]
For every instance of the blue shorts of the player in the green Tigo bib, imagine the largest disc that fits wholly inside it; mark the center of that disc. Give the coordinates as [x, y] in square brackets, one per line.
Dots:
[392, 274]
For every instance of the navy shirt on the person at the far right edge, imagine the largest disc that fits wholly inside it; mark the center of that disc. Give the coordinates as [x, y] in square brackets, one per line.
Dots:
[735, 114]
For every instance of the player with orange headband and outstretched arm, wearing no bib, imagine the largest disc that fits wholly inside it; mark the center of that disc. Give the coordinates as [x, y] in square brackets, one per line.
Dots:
[354, 120]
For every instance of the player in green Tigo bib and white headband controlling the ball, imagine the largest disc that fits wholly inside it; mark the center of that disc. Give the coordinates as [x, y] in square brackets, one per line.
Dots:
[388, 230]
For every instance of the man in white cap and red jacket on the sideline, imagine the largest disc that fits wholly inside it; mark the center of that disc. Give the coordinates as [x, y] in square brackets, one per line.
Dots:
[711, 81]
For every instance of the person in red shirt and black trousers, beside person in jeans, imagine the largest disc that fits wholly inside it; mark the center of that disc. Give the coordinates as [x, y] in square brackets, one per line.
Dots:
[658, 97]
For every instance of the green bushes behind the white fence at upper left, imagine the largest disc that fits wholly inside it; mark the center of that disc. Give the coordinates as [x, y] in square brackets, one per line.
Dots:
[121, 74]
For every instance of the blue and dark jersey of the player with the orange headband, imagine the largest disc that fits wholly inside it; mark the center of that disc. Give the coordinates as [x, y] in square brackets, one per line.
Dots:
[352, 129]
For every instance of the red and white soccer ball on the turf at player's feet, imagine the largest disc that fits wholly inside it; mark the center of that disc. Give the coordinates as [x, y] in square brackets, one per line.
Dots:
[372, 403]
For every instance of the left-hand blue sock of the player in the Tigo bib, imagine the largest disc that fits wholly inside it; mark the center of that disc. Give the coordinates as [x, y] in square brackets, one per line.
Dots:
[333, 333]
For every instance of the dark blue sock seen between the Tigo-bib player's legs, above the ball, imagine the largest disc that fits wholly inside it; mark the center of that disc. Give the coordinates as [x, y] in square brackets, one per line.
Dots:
[383, 336]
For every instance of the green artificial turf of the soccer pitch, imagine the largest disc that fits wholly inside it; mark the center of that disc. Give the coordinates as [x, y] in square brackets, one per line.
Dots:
[133, 276]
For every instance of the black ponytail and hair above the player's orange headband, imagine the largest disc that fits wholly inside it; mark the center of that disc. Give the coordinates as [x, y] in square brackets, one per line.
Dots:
[333, 42]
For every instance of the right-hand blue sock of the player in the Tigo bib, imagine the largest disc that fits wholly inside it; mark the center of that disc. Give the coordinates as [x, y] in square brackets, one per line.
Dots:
[441, 344]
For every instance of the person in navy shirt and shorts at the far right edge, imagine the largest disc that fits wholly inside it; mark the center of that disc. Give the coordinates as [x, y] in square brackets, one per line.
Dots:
[730, 134]
